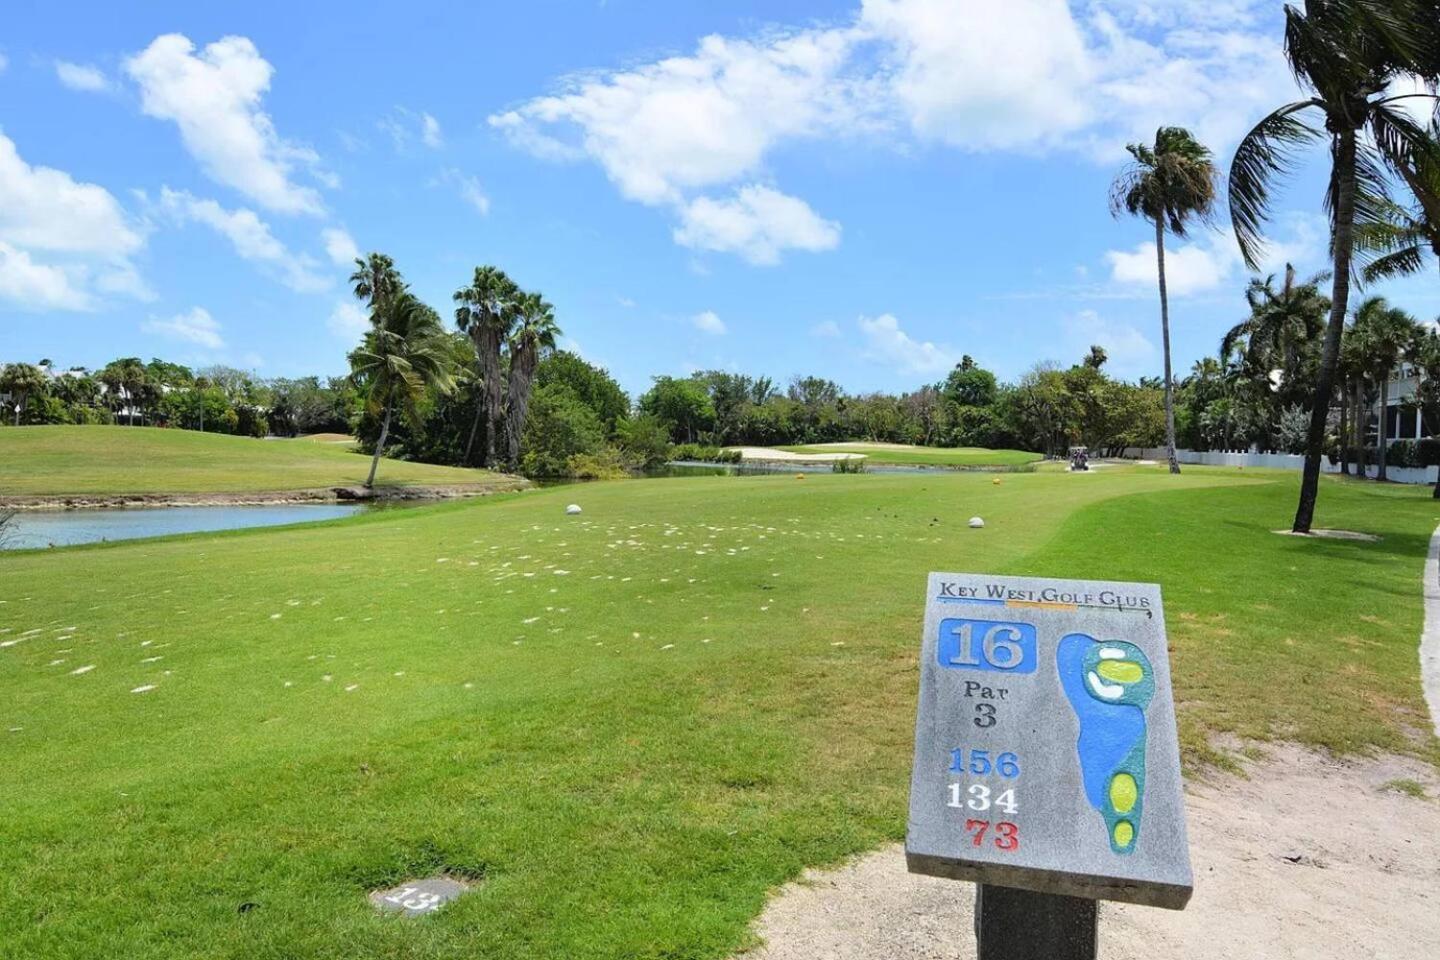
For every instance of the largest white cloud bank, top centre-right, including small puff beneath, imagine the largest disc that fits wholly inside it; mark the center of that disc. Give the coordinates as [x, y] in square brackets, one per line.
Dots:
[977, 76]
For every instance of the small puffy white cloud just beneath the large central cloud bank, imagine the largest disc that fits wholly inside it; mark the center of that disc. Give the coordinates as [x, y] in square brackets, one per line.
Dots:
[758, 224]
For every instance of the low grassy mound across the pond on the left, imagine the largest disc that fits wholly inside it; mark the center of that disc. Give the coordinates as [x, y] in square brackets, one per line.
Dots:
[38, 461]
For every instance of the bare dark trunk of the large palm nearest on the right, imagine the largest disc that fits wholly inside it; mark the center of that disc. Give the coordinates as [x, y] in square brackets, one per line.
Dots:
[1334, 329]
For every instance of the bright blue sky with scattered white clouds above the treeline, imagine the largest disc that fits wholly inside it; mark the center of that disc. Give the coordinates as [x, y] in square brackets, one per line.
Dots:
[860, 191]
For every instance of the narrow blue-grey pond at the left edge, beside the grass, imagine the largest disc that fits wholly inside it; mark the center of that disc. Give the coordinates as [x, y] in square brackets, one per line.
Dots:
[67, 527]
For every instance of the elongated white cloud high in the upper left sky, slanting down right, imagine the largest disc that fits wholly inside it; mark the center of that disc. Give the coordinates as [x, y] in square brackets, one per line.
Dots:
[215, 100]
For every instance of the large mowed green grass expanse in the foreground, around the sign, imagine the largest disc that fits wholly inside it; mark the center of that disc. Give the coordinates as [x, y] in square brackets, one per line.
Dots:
[627, 726]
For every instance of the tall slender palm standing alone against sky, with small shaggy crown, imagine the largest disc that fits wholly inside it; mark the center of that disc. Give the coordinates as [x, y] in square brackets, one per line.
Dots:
[1167, 185]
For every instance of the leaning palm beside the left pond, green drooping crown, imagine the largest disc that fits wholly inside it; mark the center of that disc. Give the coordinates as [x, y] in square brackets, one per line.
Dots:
[401, 359]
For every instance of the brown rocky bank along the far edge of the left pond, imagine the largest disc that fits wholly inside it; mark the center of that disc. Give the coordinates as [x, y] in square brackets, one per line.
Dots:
[254, 499]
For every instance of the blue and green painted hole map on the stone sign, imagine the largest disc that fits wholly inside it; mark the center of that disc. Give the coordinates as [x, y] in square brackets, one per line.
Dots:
[1110, 686]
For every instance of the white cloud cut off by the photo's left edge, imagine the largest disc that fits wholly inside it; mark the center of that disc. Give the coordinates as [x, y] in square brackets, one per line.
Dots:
[66, 241]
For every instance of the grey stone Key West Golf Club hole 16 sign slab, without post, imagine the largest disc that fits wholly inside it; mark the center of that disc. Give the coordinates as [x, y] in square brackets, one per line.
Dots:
[1045, 749]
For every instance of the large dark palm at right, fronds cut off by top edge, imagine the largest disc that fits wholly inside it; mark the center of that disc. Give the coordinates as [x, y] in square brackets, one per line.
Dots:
[1347, 54]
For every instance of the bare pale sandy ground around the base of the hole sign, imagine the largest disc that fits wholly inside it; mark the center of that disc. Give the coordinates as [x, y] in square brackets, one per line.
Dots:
[1308, 859]
